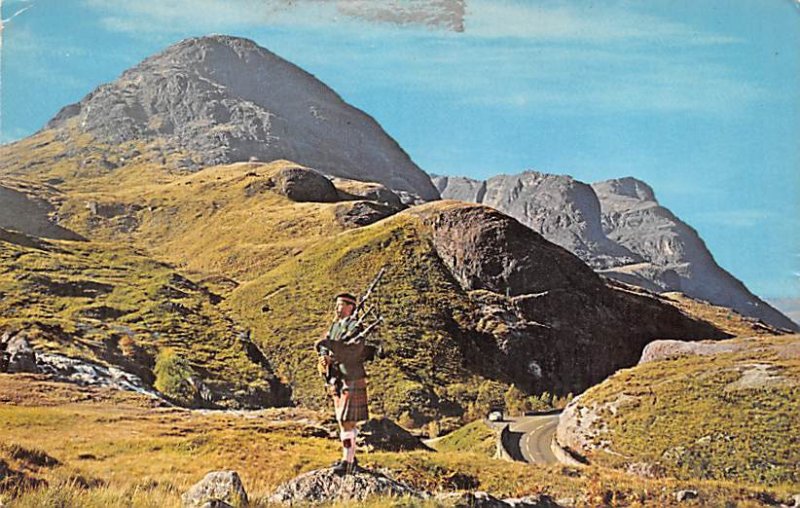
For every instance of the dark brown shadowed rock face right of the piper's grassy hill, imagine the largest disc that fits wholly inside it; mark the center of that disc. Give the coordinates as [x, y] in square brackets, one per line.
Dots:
[549, 319]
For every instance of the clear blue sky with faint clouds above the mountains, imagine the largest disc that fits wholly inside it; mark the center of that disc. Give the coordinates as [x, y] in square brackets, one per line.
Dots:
[699, 98]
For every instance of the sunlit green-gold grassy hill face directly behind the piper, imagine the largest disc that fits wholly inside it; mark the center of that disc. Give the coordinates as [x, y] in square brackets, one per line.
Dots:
[425, 311]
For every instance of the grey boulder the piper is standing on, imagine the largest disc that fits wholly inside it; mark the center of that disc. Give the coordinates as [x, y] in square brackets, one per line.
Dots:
[324, 485]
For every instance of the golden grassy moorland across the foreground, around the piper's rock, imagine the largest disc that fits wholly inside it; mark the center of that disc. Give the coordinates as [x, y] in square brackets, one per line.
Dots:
[82, 447]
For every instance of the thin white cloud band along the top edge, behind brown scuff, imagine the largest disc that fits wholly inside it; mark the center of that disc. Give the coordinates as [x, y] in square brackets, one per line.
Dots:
[490, 19]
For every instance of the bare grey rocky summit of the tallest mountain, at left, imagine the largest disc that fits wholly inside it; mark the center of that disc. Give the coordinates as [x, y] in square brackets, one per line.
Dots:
[224, 99]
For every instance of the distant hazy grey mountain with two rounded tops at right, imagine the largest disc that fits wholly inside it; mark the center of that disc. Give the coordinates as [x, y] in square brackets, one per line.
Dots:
[617, 228]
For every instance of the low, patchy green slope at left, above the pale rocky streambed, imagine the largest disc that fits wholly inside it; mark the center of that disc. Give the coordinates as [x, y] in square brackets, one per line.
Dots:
[115, 306]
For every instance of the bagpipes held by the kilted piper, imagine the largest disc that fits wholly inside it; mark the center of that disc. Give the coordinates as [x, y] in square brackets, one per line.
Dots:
[357, 333]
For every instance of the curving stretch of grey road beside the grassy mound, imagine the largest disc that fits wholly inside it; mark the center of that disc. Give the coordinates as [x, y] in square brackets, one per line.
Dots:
[529, 437]
